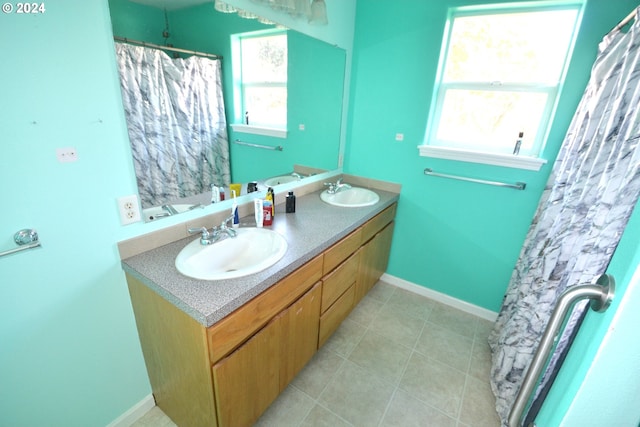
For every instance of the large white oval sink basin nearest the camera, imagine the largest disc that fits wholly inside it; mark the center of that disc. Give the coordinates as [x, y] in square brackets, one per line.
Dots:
[251, 251]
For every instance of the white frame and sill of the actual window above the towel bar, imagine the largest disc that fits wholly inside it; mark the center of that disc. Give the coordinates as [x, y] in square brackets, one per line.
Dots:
[452, 152]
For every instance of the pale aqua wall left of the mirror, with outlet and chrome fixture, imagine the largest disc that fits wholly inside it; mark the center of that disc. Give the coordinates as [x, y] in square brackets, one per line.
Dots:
[69, 349]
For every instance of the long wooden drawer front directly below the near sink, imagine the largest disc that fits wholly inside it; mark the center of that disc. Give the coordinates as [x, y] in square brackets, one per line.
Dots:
[234, 329]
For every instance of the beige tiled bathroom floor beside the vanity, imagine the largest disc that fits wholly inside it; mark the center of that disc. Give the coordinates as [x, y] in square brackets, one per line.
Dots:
[399, 359]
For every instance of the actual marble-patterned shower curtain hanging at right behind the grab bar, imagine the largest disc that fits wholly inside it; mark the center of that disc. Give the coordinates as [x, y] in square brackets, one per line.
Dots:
[588, 199]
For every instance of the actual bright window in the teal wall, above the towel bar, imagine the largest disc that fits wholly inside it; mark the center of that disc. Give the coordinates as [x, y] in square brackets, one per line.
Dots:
[499, 75]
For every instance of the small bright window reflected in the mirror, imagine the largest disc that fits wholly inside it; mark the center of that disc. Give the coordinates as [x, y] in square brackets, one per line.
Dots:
[262, 79]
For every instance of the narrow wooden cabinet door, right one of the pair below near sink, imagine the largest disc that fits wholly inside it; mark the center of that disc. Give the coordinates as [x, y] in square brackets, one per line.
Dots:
[299, 334]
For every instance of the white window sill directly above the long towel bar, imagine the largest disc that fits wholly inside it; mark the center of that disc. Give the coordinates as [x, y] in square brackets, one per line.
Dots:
[506, 160]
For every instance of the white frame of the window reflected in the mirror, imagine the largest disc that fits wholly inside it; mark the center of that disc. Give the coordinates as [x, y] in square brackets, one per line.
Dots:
[239, 124]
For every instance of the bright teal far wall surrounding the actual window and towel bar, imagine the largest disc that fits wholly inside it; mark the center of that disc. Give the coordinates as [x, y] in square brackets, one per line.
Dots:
[455, 237]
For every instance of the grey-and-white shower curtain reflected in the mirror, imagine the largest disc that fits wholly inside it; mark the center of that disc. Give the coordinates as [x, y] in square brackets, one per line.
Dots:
[176, 122]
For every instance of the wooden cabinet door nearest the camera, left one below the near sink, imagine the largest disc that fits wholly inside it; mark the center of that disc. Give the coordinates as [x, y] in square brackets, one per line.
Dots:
[247, 381]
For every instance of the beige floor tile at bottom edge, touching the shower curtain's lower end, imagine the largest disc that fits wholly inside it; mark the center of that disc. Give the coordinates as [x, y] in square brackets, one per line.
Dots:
[478, 405]
